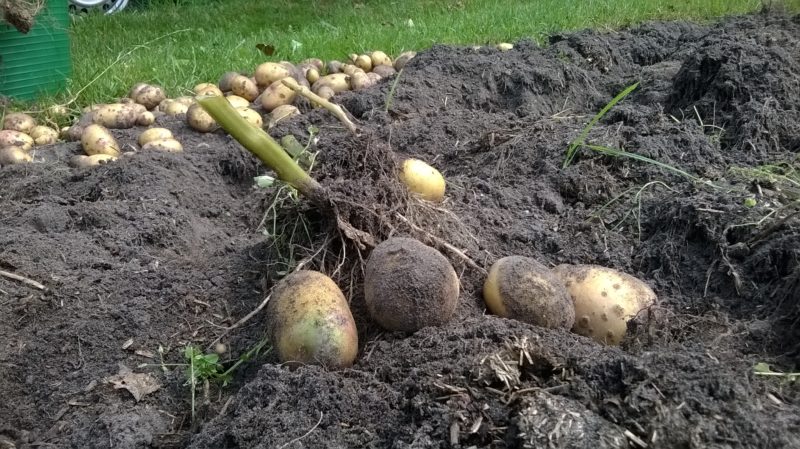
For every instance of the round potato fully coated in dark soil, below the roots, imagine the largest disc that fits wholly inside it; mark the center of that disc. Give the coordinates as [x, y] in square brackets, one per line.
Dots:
[408, 285]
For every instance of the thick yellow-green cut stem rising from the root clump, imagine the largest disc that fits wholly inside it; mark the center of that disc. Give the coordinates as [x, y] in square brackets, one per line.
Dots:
[258, 142]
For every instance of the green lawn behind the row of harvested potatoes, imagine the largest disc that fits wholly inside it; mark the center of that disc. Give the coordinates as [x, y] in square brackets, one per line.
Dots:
[178, 43]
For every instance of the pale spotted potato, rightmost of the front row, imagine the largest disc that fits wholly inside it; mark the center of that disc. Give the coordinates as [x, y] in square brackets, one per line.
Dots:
[605, 300]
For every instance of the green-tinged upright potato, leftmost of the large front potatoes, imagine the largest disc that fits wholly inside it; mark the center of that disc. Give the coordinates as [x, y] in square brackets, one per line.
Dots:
[310, 321]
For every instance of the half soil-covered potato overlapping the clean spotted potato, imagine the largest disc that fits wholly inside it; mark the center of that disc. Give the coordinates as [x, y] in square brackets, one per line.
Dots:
[525, 290]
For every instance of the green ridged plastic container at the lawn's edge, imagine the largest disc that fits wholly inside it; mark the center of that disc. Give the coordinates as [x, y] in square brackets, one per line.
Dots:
[38, 62]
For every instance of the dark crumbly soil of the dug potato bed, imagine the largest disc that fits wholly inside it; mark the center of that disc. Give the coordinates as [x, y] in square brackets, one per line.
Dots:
[162, 250]
